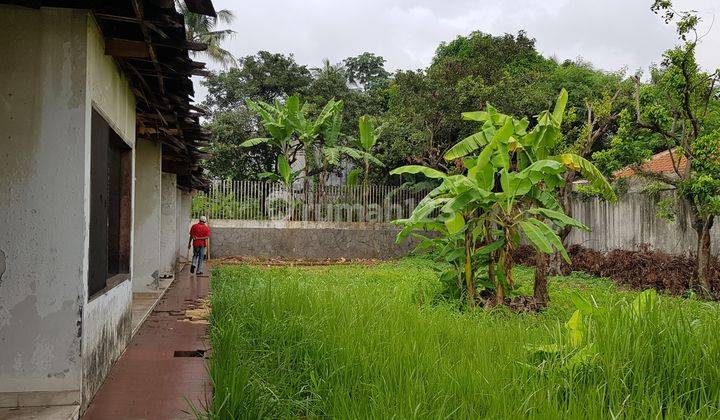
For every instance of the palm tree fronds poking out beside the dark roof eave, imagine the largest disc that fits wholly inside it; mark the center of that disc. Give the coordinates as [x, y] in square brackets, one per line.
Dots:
[201, 28]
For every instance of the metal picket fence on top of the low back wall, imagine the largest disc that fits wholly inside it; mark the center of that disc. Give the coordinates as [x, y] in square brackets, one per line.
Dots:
[258, 200]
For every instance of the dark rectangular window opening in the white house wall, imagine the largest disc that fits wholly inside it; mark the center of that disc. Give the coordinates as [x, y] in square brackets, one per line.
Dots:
[110, 205]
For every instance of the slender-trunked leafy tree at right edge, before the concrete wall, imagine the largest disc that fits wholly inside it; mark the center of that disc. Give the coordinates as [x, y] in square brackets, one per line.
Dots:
[678, 111]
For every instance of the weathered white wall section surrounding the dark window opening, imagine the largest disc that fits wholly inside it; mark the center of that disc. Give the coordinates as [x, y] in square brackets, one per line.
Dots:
[107, 317]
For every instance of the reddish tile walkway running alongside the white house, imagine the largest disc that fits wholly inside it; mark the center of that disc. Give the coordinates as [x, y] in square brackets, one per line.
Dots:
[149, 382]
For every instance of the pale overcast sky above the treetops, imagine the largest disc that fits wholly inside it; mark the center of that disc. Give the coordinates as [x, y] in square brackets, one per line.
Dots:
[611, 34]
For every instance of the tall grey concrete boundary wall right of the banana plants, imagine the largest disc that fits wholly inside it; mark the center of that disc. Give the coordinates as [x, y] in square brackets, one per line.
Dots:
[633, 221]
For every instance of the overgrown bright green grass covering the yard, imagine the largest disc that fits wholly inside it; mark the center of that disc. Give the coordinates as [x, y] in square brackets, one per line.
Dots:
[380, 342]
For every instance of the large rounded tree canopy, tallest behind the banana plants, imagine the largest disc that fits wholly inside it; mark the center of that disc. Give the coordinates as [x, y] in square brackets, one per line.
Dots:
[507, 71]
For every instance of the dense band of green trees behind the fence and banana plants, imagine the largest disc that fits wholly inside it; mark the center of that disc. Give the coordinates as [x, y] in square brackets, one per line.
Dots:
[420, 109]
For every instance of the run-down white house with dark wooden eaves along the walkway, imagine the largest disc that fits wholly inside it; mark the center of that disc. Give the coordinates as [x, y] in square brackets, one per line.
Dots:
[98, 162]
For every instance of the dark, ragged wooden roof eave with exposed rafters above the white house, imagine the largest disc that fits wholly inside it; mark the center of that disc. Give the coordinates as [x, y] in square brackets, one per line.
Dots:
[148, 42]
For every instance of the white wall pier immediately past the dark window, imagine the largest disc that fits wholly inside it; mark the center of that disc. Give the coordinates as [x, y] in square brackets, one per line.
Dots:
[146, 246]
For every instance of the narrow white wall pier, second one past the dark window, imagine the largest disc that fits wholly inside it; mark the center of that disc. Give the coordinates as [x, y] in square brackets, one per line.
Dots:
[168, 229]
